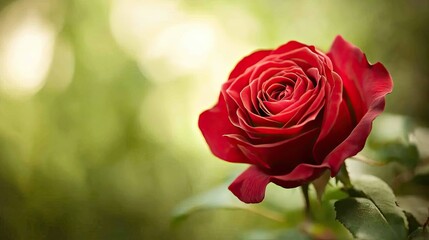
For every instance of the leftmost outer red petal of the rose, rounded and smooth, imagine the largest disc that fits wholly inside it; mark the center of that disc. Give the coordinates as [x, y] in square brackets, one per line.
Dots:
[214, 123]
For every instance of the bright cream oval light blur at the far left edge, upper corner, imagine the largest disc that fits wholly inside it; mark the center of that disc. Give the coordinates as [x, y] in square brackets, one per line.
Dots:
[26, 50]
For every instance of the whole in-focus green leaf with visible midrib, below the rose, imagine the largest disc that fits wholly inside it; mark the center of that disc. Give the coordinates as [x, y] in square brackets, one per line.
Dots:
[371, 209]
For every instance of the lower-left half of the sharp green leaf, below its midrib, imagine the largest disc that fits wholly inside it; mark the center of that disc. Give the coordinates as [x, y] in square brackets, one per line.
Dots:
[364, 220]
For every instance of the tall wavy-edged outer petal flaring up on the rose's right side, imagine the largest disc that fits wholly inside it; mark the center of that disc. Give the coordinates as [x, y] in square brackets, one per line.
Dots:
[366, 85]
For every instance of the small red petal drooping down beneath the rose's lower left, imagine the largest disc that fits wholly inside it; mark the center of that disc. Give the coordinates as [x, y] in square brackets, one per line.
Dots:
[250, 186]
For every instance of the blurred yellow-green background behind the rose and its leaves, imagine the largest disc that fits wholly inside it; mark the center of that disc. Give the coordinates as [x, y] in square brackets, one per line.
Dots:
[99, 102]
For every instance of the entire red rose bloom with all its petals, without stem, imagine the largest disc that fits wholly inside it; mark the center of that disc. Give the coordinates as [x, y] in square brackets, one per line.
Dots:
[294, 112]
